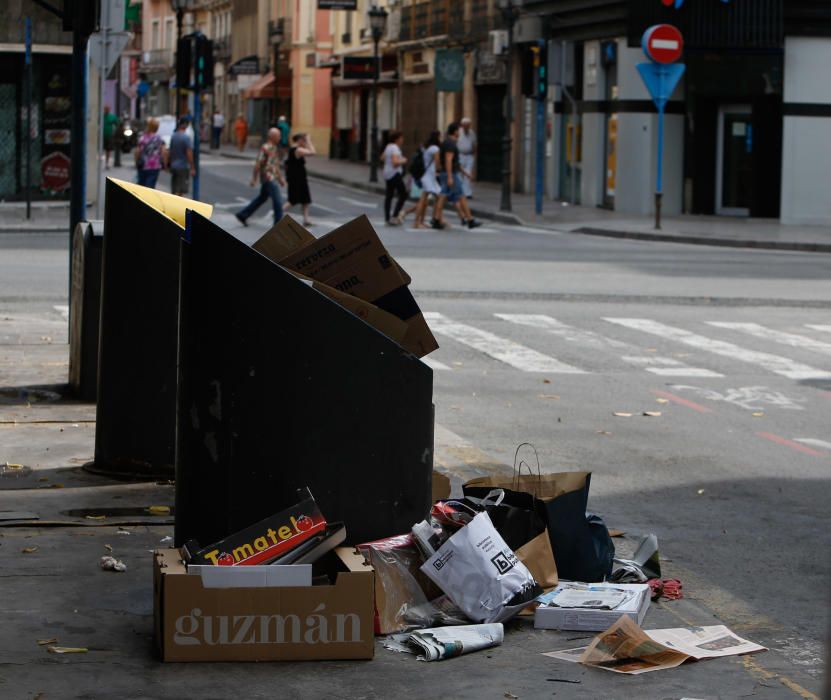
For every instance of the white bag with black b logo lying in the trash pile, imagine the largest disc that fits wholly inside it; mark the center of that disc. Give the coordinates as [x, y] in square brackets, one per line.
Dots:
[480, 573]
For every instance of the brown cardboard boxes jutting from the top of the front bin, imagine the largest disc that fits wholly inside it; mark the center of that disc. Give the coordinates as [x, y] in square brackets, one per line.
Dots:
[351, 260]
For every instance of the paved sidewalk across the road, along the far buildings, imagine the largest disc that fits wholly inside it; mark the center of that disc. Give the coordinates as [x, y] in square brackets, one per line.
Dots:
[703, 230]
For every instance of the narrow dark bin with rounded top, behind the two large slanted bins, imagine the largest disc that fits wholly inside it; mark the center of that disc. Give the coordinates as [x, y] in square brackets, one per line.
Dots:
[84, 309]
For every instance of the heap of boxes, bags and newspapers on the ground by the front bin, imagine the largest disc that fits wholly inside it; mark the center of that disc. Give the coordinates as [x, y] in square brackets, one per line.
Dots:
[285, 587]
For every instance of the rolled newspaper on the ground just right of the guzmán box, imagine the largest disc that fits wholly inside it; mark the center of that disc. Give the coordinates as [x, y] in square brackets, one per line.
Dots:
[437, 643]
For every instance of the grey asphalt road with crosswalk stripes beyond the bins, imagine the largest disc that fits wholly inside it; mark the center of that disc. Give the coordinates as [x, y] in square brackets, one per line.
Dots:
[566, 341]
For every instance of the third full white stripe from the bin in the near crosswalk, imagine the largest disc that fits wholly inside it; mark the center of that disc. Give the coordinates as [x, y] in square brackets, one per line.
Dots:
[774, 363]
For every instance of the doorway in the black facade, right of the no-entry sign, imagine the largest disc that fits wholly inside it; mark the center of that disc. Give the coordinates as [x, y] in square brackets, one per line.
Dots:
[734, 160]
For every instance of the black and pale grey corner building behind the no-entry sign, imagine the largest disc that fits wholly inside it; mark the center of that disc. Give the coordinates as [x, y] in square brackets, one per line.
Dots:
[747, 130]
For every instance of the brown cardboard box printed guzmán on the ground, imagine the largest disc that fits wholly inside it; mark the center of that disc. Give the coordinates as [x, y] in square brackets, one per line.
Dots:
[195, 623]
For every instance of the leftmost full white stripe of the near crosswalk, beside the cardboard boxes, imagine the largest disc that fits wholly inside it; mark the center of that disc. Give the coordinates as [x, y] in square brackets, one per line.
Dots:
[501, 349]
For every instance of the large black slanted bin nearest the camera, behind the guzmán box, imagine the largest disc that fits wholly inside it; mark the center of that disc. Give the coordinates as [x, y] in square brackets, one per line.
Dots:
[280, 388]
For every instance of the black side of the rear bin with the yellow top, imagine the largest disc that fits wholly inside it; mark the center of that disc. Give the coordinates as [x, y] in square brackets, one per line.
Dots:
[136, 412]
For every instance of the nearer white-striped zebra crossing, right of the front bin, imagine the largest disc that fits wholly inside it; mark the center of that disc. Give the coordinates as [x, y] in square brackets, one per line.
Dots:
[553, 344]
